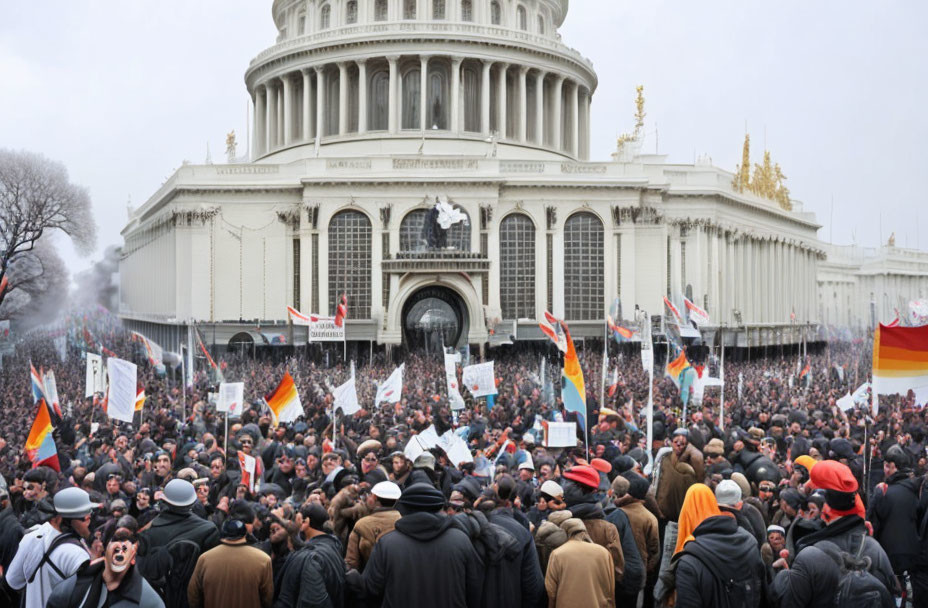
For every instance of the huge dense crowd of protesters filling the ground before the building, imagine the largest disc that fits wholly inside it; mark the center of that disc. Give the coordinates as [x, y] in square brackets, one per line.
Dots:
[784, 500]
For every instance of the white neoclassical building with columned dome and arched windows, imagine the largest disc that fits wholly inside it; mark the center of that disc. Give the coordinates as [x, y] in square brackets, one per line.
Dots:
[366, 112]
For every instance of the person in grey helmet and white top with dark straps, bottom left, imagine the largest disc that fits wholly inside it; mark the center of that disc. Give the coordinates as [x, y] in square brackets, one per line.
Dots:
[55, 550]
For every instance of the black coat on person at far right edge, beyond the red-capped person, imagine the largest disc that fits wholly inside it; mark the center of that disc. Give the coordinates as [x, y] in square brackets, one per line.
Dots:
[894, 519]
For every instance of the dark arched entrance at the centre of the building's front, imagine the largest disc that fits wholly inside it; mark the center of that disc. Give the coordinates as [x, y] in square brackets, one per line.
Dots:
[433, 317]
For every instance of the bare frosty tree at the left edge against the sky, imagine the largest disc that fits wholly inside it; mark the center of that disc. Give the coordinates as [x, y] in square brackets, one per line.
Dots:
[37, 199]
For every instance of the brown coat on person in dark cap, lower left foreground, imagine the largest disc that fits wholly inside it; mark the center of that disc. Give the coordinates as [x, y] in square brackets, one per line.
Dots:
[232, 575]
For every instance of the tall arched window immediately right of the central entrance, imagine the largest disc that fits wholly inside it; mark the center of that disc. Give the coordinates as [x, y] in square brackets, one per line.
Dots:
[517, 266]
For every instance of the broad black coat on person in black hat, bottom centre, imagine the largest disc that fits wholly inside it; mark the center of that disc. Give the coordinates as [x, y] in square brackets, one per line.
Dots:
[424, 562]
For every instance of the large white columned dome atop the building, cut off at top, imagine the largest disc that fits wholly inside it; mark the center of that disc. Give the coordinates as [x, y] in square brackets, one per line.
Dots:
[389, 75]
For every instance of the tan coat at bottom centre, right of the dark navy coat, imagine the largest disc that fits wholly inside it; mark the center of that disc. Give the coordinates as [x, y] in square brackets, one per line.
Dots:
[580, 574]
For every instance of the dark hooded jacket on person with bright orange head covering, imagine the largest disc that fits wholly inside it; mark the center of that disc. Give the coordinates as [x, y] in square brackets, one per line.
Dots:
[721, 551]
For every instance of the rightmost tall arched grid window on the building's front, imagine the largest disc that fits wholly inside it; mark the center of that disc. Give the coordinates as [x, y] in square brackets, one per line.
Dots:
[583, 267]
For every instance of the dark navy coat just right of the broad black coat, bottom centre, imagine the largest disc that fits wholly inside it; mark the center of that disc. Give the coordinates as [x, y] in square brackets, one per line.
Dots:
[524, 584]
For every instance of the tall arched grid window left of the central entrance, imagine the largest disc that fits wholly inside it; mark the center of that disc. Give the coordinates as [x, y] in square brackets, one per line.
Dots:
[350, 262]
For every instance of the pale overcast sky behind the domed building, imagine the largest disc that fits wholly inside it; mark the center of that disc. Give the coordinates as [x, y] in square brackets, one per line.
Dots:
[123, 91]
